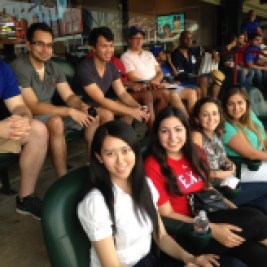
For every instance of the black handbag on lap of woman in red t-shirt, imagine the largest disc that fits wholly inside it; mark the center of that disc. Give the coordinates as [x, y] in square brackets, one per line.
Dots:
[209, 200]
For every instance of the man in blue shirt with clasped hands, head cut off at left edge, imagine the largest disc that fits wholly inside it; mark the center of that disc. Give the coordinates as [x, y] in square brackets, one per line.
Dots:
[19, 133]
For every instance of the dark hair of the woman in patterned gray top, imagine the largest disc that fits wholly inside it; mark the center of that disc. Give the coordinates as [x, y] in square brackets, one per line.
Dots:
[195, 125]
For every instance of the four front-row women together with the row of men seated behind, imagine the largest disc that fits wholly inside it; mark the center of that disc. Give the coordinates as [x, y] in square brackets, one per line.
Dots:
[120, 209]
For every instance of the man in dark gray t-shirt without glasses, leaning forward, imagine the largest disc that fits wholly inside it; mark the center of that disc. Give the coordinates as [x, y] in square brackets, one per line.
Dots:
[97, 75]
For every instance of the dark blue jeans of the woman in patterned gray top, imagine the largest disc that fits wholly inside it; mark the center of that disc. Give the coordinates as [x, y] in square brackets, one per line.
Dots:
[252, 193]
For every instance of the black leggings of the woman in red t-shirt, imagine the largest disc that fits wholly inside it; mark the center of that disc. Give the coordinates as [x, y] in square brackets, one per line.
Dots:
[254, 225]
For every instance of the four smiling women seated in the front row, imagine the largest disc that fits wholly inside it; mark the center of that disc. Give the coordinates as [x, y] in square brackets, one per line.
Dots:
[123, 199]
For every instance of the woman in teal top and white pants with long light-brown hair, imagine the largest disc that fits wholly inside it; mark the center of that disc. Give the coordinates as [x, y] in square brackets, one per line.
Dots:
[244, 134]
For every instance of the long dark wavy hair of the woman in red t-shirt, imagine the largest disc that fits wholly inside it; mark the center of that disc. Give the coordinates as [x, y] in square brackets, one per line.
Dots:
[189, 150]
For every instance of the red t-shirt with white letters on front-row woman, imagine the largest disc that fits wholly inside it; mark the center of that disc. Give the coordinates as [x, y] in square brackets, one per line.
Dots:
[187, 180]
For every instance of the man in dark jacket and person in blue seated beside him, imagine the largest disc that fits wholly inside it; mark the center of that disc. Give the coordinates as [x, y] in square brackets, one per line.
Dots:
[181, 64]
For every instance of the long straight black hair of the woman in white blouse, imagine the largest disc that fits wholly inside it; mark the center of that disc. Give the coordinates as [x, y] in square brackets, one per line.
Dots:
[99, 176]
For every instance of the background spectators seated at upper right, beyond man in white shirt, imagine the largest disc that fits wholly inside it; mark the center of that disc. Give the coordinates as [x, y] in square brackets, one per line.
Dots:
[245, 50]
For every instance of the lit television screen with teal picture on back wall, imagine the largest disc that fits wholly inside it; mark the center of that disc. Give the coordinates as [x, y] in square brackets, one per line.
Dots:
[174, 23]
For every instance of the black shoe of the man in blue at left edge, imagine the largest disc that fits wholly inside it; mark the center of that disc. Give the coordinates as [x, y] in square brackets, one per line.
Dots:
[30, 205]
